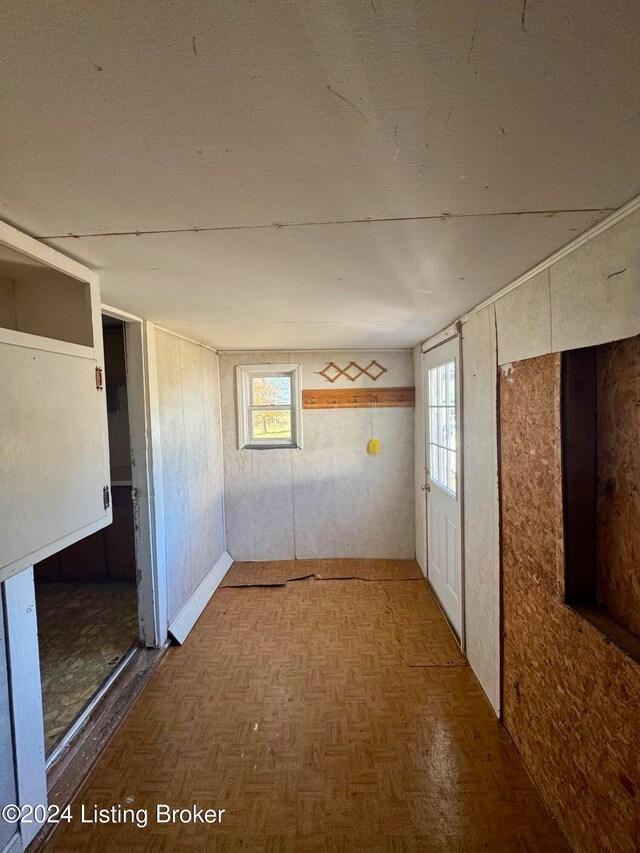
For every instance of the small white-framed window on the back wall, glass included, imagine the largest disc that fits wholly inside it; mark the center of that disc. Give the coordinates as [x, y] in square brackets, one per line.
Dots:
[269, 406]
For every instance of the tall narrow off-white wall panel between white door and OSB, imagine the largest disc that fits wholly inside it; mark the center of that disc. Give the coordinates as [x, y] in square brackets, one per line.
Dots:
[482, 562]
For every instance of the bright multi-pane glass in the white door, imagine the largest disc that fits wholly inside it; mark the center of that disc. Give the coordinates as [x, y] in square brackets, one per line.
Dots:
[442, 426]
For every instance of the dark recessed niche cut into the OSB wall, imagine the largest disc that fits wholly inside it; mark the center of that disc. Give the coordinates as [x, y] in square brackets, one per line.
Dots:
[601, 473]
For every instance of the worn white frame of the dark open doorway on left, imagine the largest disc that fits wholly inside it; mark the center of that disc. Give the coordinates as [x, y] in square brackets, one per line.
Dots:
[146, 473]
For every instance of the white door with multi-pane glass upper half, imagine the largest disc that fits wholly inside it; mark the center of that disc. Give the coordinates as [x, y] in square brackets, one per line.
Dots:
[443, 478]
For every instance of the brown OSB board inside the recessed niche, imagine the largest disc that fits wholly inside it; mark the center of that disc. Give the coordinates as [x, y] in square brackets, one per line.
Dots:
[618, 476]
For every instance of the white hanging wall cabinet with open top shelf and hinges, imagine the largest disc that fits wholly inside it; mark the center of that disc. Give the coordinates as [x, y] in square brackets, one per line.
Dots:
[54, 463]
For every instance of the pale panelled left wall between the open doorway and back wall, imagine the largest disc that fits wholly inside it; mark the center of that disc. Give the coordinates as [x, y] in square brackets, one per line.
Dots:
[190, 427]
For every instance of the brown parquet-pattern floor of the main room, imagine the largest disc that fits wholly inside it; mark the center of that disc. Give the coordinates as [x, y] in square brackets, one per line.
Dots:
[322, 715]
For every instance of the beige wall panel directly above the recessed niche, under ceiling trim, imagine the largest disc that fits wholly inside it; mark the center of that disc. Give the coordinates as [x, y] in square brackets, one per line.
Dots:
[595, 291]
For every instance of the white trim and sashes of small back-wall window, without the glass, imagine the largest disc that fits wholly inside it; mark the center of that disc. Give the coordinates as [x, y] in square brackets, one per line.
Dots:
[244, 376]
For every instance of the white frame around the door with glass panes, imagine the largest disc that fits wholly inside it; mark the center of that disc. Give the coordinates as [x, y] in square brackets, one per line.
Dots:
[460, 474]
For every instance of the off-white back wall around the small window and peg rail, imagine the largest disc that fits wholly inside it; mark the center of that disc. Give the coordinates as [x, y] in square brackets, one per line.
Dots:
[330, 499]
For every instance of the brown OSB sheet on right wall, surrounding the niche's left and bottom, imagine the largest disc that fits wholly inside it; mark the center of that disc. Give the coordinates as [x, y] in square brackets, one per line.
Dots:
[571, 698]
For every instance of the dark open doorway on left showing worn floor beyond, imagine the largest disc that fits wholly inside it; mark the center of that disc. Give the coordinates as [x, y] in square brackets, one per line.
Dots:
[86, 595]
